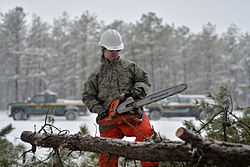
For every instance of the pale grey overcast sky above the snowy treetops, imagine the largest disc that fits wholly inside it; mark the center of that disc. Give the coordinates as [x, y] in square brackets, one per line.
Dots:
[191, 13]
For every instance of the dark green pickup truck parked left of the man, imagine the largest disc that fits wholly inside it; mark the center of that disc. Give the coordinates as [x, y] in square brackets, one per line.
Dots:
[44, 103]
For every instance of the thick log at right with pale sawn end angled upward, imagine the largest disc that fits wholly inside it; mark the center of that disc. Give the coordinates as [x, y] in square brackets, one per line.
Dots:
[217, 152]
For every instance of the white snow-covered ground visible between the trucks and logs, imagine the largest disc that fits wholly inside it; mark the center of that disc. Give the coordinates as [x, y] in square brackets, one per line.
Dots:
[165, 126]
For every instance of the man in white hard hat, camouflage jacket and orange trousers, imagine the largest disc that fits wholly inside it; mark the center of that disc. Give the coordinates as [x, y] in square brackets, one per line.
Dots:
[115, 78]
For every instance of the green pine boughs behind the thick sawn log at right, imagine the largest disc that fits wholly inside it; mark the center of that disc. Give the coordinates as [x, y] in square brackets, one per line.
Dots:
[221, 122]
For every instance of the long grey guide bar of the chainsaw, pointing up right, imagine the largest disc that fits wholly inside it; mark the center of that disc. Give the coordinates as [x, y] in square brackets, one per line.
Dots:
[129, 104]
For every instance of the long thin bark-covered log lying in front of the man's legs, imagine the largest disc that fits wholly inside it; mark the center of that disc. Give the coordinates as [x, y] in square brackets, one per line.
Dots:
[146, 151]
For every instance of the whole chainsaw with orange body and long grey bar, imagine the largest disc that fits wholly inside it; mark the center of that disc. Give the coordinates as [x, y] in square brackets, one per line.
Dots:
[120, 112]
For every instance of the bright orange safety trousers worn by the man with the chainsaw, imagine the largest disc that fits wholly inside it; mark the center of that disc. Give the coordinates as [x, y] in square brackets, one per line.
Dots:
[140, 130]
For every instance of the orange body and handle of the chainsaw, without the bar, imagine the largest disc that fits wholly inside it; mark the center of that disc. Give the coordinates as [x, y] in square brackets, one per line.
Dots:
[115, 118]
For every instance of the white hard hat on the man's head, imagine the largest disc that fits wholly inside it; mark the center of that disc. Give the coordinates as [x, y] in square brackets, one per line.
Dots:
[111, 40]
